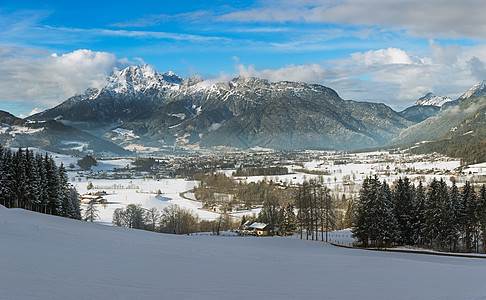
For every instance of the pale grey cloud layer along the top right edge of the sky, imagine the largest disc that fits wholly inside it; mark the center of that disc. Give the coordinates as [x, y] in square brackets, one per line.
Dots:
[432, 18]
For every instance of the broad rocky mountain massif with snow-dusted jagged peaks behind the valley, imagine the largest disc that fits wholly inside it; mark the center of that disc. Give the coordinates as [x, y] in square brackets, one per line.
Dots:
[140, 106]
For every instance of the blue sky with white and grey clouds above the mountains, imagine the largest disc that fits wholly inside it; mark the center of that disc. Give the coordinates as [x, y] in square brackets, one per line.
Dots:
[375, 50]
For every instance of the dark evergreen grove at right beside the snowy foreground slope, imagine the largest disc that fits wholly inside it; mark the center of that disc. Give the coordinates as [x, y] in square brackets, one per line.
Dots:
[436, 216]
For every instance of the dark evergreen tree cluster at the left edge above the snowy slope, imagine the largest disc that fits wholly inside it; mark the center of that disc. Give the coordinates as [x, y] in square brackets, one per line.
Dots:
[34, 182]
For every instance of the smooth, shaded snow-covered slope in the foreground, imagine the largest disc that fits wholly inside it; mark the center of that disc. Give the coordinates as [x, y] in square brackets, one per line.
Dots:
[46, 257]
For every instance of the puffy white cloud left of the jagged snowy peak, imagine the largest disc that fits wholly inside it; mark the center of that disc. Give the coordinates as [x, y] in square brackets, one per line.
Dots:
[45, 81]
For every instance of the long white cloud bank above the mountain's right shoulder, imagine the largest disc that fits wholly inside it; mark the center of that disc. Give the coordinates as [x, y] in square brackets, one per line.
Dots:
[392, 76]
